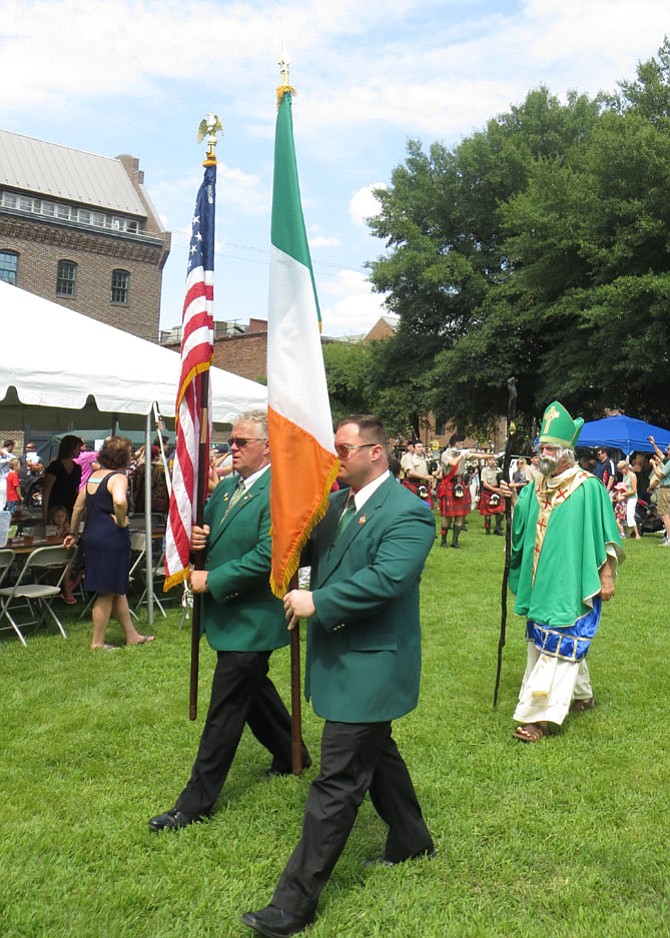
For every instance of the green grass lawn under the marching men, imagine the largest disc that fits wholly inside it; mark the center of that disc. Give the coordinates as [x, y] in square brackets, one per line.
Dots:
[568, 837]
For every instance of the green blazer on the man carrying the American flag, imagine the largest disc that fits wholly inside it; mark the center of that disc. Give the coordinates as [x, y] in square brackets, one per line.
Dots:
[239, 613]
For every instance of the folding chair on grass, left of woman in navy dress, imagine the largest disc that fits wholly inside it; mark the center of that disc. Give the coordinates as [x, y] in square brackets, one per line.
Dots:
[35, 597]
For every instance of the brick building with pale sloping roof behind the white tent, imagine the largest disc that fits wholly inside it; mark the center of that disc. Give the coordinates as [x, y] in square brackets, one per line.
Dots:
[80, 230]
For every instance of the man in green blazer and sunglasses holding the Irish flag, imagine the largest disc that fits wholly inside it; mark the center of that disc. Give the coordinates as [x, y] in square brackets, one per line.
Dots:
[362, 672]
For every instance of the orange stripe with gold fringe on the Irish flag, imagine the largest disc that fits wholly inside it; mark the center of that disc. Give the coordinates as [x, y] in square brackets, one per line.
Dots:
[303, 473]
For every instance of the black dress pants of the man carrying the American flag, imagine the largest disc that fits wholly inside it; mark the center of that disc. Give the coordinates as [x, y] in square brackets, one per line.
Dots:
[242, 693]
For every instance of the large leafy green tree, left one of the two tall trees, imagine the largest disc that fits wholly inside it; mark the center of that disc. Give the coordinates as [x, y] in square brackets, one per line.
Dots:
[448, 270]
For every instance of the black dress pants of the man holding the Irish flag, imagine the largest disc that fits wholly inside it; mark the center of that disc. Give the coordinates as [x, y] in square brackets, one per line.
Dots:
[355, 758]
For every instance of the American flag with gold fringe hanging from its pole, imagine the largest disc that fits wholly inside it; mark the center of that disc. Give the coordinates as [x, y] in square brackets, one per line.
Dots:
[197, 344]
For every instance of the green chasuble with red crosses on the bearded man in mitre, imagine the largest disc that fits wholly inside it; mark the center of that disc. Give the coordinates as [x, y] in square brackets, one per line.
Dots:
[579, 527]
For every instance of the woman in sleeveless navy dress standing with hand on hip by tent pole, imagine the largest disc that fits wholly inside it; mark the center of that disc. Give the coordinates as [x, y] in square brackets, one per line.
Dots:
[103, 502]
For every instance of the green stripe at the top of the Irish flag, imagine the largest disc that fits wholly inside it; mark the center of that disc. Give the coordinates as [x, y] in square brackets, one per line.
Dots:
[288, 224]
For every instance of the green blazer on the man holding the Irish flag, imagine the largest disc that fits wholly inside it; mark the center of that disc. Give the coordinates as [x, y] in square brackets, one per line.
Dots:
[364, 641]
